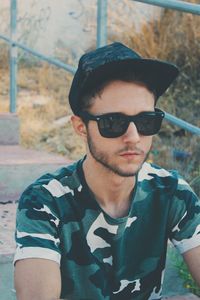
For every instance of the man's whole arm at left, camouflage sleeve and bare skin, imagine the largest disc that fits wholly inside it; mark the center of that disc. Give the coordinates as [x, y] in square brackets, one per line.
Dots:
[37, 256]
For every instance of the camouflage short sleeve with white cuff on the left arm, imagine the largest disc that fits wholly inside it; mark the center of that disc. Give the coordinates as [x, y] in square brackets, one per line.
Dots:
[37, 226]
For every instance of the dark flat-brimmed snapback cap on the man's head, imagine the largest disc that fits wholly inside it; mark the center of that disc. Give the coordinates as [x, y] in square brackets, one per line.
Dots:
[105, 62]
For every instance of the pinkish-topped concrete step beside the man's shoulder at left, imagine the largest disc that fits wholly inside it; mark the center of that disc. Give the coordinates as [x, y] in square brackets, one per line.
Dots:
[19, 167]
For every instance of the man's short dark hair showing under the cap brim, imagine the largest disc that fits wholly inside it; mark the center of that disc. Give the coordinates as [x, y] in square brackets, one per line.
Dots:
[87, 98]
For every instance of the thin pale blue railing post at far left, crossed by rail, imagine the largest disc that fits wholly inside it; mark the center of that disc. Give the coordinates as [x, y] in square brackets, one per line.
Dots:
[13, 56]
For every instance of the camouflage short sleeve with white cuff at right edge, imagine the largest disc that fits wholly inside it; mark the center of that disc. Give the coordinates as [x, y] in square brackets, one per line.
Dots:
[184, 218]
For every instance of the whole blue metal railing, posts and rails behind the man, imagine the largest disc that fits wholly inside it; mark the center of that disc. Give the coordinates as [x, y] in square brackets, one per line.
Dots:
[101, 41]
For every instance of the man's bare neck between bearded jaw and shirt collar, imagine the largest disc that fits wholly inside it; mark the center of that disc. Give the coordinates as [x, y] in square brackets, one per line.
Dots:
[112, 192]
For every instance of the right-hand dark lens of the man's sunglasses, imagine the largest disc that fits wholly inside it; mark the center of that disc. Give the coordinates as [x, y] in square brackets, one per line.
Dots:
[148, 124]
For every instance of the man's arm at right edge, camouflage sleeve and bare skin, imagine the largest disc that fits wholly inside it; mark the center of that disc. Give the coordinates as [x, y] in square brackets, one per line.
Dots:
[184, 218]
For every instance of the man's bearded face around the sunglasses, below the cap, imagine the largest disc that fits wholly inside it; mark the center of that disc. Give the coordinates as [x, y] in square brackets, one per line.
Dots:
[123, 155]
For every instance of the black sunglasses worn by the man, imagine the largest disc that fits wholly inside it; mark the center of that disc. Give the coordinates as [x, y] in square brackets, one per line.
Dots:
[113, 125]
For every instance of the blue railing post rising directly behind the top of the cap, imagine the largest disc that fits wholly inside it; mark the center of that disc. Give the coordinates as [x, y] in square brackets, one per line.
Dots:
[101, 23]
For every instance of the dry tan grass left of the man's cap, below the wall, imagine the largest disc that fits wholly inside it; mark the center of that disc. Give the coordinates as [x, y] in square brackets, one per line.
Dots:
[42, 100]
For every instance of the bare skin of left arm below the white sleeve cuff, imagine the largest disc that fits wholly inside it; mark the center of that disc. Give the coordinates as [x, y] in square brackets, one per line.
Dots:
[37, 279]
